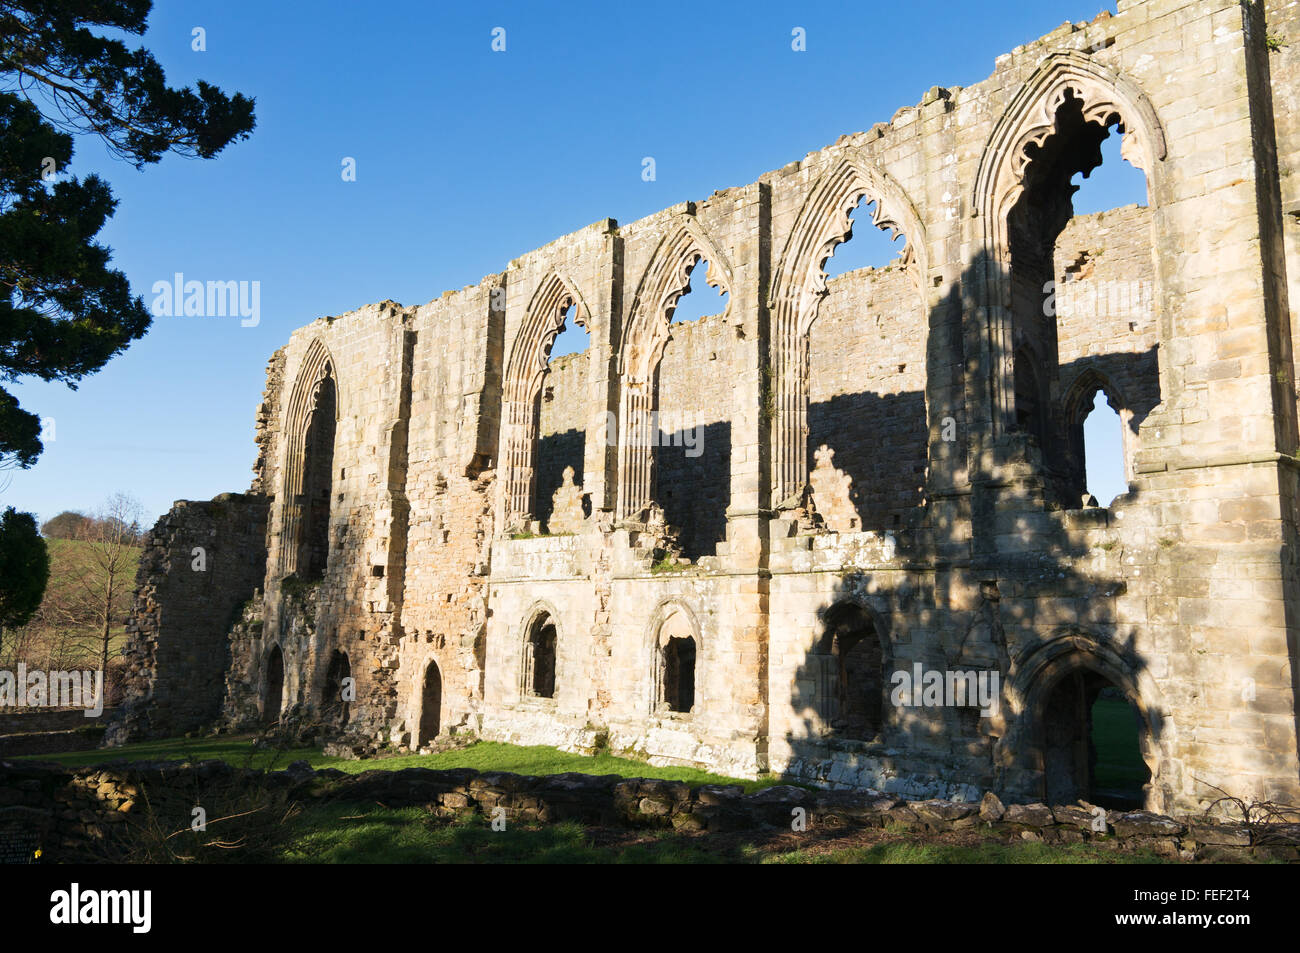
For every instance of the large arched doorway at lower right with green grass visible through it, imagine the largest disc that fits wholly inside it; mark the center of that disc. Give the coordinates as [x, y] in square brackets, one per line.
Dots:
[1091, 739]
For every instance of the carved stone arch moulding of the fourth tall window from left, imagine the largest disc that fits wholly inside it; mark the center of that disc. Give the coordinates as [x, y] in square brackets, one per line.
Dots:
[799, 285]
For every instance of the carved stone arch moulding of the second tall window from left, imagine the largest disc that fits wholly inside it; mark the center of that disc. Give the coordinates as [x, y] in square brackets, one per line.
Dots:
[526, 367]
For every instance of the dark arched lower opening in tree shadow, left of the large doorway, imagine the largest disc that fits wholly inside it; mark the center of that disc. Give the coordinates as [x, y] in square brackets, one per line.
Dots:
[851, 674]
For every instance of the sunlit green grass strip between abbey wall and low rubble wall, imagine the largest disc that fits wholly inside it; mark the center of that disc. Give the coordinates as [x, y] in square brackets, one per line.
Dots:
[484, 756]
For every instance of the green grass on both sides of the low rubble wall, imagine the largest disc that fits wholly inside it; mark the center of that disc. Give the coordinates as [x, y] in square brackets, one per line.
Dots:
[341, 833]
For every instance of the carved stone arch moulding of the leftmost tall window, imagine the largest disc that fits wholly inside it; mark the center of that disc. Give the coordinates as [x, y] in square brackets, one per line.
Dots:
[317, 372]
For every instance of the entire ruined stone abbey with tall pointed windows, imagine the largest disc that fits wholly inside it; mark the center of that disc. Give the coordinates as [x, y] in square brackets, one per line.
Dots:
[725, 543]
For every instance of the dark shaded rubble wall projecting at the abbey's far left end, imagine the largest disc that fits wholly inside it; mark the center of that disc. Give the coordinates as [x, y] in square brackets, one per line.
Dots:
[202, 564]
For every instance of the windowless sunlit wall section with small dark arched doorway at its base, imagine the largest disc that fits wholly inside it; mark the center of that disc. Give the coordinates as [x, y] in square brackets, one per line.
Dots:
[454, 421]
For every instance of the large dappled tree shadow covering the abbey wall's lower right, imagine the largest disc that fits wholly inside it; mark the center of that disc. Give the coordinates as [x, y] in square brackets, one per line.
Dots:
[990, 588]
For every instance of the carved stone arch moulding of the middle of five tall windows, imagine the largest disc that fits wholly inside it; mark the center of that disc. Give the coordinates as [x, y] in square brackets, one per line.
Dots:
[645, 336]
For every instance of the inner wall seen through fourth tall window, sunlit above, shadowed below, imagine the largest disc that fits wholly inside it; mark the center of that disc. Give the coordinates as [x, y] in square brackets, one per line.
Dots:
[868, 391]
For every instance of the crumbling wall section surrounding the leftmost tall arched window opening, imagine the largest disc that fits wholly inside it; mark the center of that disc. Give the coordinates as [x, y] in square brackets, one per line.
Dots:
[356, 608]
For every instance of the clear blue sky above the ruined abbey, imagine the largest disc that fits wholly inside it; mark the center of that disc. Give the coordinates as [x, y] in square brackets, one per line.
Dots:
[466, 158]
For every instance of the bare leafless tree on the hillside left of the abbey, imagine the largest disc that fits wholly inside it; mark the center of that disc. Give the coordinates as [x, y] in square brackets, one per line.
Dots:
[112, 536]
